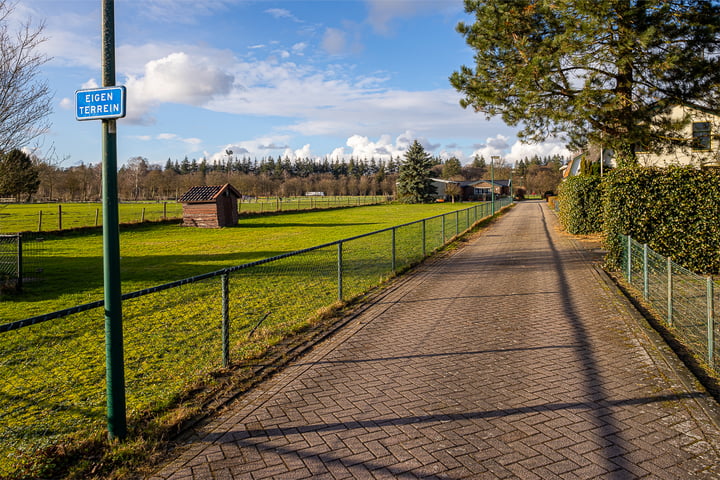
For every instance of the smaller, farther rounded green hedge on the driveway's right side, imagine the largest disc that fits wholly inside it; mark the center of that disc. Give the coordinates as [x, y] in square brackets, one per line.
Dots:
[581, 204]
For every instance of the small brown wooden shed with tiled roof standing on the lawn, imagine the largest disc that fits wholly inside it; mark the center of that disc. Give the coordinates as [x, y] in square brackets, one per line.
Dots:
[210, 206]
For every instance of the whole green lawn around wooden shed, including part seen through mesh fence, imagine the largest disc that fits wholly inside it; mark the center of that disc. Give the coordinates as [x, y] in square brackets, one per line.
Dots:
[52, 388]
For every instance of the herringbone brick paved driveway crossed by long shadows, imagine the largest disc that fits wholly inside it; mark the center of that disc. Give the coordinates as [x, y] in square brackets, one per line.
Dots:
[512, 358]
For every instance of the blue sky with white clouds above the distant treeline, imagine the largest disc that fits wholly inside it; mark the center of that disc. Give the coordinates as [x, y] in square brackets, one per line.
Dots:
[299, 78]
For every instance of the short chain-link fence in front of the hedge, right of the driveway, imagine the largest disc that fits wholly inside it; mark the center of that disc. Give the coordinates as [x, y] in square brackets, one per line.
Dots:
[686, 302]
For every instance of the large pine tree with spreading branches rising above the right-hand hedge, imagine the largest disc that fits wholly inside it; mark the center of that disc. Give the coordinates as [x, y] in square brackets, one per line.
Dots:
[597, 71]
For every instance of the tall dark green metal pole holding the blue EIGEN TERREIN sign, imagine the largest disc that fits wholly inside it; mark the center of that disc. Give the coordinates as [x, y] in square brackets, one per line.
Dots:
[116, 409]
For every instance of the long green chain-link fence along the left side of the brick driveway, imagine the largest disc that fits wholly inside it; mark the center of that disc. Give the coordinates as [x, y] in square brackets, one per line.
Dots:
[52, 387]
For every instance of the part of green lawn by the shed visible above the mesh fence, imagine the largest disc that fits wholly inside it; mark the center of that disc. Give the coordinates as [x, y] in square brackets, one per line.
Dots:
[153, 254]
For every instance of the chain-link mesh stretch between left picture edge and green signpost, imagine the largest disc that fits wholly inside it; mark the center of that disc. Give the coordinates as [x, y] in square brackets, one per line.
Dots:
[53, 385]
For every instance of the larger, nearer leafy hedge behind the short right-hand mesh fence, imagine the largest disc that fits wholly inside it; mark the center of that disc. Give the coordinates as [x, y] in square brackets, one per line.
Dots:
[675, 210]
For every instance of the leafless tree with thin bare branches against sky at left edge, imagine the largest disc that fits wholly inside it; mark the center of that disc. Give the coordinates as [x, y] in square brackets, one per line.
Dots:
[25, 99]
